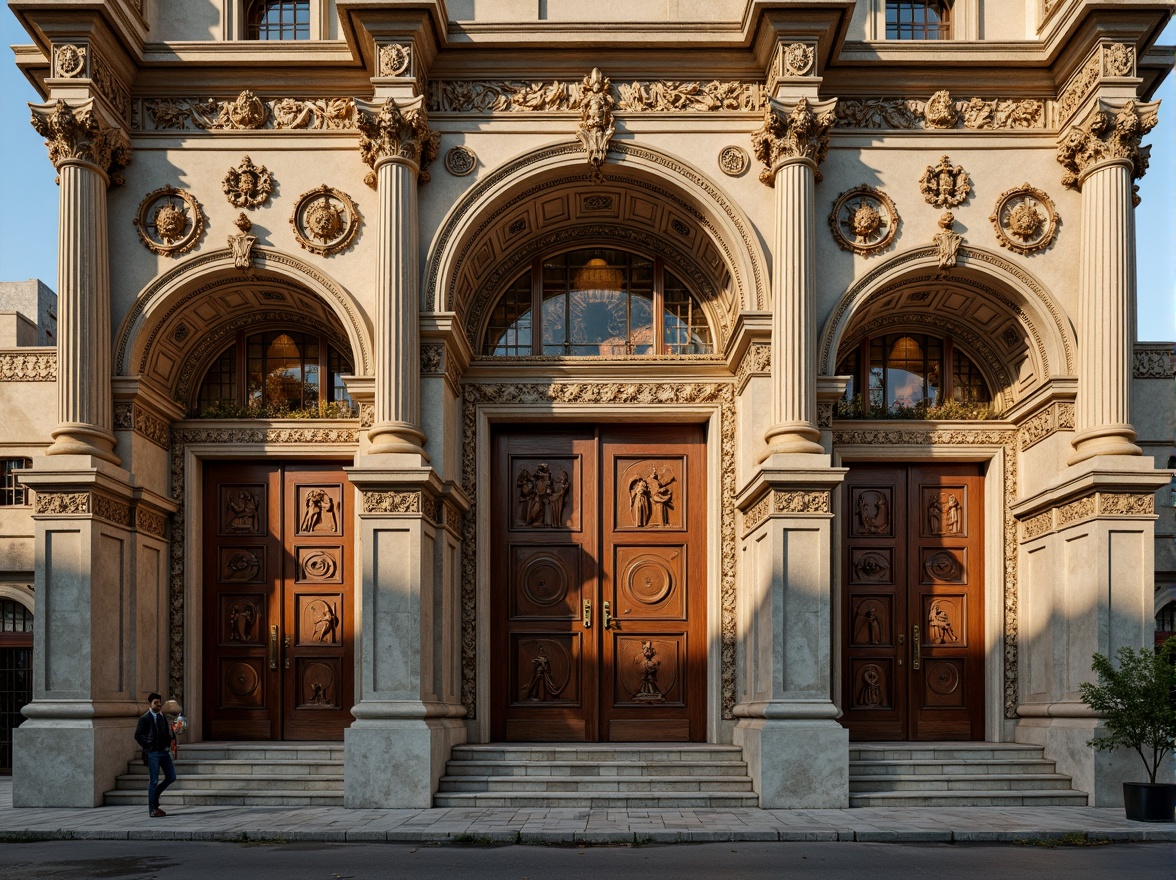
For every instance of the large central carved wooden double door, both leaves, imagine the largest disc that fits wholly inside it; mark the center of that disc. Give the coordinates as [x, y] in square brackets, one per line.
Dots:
[598, 584]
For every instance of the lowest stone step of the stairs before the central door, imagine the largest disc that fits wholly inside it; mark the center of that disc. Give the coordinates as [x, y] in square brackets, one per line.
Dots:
[634, 801]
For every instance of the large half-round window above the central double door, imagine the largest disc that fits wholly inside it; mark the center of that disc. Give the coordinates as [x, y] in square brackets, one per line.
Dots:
[598, 302]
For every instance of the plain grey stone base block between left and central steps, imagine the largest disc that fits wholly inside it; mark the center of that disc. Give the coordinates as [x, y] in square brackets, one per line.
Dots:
[396, 764]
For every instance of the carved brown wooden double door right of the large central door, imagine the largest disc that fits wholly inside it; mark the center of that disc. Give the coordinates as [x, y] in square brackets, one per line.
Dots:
[913, 655]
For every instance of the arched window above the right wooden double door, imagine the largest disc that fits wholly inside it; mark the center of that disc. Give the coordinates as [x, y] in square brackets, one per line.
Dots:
[912, 370]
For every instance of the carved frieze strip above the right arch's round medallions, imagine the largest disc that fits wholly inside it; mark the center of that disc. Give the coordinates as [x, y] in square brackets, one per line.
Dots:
[941, 112]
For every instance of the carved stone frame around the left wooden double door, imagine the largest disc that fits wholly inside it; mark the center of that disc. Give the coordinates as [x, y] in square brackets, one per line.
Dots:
[193, 443]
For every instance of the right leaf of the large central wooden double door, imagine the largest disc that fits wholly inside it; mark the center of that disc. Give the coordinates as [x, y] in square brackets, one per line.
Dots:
[653, 585]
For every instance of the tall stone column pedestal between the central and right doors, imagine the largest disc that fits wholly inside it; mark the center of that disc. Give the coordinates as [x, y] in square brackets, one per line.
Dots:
[797, 752]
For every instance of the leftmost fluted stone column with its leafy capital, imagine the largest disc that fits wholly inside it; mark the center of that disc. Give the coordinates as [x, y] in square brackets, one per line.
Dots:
[84, 151]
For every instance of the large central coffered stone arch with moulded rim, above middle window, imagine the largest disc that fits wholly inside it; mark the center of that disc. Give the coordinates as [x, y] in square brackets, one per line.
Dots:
[547, 201]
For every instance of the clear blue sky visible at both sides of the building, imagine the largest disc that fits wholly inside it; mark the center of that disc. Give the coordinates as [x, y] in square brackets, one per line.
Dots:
[29, 225]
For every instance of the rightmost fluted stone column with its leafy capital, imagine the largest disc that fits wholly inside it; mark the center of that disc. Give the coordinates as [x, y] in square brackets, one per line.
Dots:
[1104, 158]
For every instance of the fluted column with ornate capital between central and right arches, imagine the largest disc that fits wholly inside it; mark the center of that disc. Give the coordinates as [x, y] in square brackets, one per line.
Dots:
[792, 144]
